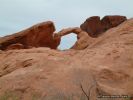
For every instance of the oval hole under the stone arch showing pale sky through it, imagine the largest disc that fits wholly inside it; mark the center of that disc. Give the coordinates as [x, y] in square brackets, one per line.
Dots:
[67, 41]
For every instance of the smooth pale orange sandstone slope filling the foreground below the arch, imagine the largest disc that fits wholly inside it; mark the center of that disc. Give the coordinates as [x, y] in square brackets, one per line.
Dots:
[105, 67]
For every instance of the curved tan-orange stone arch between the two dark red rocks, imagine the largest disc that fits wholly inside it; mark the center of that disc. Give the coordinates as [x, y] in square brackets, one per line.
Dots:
[82, 37]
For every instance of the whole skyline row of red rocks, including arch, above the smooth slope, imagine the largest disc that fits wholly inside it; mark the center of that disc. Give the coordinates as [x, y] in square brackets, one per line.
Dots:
[42, 35]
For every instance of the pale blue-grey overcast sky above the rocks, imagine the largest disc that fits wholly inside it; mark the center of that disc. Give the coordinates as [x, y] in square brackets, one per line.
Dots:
[16, 15]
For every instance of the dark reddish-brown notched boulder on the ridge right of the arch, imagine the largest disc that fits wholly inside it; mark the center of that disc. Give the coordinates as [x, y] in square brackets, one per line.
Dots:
[94, 26]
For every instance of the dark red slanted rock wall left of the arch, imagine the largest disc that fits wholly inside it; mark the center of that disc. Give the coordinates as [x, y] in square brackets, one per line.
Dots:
[40, 35]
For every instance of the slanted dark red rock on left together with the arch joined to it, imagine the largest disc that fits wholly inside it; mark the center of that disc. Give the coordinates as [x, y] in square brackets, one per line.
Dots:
[42, 35]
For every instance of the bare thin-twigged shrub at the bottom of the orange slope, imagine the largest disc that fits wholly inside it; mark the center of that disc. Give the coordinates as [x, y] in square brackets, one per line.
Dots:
[86, 82]
